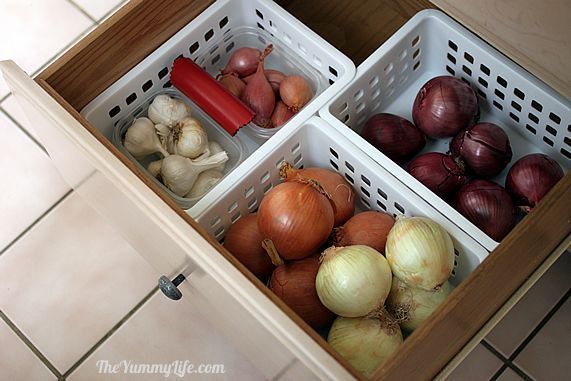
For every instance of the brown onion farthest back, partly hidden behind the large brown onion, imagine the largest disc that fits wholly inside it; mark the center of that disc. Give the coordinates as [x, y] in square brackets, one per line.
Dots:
[341, 192]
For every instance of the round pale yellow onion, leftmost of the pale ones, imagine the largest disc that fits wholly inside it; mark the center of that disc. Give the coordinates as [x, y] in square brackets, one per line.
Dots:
[353, 281]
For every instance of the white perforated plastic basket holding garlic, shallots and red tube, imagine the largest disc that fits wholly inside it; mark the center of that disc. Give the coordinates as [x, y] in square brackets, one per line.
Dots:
[209, 39]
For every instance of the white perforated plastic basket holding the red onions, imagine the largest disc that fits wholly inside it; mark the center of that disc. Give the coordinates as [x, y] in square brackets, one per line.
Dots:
[535, 117]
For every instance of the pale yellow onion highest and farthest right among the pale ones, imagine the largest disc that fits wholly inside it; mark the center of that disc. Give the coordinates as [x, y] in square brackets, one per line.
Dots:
[420, 252]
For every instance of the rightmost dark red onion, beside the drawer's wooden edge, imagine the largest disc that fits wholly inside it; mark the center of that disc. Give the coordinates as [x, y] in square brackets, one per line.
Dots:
[531, 177]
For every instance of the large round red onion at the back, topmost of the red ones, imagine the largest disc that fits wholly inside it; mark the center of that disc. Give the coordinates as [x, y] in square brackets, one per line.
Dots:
[444, 106]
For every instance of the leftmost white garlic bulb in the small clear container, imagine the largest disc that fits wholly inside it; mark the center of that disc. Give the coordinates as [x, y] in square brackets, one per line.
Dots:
[141, 139]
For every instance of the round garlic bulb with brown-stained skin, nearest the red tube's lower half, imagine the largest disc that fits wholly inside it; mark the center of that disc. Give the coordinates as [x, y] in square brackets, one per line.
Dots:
[188, 138]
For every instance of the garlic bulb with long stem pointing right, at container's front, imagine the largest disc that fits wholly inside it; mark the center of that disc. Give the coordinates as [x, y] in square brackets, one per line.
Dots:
[180, 173]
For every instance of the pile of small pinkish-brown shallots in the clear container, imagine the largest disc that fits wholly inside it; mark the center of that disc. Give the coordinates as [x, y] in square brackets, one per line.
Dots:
[273, 96]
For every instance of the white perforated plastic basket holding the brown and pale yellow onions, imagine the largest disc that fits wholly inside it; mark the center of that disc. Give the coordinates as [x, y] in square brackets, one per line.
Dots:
[318, 144]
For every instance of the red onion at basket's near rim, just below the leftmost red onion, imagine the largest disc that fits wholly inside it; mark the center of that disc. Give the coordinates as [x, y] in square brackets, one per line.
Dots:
[440, 173]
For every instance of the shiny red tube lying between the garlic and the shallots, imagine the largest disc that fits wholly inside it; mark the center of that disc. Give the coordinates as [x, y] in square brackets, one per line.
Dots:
[209, 95]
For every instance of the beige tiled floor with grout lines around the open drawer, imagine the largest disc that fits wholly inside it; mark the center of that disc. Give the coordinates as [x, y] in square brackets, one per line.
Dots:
[75, 297]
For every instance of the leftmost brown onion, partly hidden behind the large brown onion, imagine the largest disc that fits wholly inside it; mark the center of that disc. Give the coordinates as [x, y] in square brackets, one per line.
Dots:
[244, 241]
